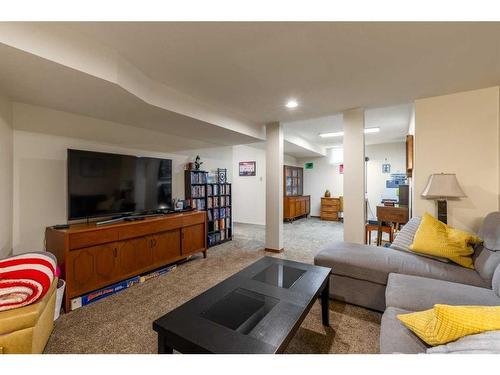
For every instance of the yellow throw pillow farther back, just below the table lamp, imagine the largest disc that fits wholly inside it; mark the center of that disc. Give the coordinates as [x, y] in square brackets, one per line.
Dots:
[434, 237]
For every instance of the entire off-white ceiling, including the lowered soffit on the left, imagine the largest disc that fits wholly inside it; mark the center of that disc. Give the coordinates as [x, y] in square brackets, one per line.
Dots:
[247, 71]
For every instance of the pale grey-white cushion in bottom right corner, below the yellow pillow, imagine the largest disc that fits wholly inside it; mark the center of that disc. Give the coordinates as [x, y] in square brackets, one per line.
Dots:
[486, 342]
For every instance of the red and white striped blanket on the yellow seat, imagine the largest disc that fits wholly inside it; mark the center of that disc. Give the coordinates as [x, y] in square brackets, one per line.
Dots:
[25, 278]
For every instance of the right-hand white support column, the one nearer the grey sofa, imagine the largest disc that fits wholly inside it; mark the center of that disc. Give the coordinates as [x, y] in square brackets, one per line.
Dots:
[354, 175]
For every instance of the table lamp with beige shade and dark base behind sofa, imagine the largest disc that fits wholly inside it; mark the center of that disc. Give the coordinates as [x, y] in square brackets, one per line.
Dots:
[440, 187]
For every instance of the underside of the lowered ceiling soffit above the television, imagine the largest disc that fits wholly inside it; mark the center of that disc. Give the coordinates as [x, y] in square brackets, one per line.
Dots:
[27, 78]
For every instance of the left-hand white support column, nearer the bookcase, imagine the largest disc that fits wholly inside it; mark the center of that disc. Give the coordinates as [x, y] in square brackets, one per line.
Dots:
[274, 187]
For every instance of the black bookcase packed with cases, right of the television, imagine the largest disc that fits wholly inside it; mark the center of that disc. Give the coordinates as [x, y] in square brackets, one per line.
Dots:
[215, 199]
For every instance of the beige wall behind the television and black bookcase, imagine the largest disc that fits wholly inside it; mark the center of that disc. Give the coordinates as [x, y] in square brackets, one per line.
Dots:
[39, 171]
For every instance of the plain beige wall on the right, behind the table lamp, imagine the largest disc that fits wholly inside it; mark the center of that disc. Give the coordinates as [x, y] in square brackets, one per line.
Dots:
[459, 133]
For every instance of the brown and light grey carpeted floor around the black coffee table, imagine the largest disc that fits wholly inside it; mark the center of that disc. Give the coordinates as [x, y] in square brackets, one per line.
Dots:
[122, 323]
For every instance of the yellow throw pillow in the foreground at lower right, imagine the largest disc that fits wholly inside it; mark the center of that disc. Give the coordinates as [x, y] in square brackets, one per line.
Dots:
[444, 323]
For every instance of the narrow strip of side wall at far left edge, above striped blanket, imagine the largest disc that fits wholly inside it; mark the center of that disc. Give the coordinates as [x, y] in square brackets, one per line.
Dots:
[6, 141]
